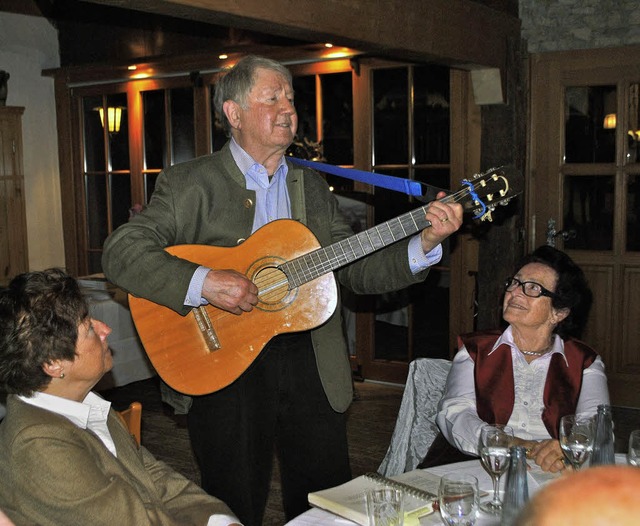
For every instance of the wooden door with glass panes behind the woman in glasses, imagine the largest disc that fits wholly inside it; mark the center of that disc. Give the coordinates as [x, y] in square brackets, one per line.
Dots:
[584, 194]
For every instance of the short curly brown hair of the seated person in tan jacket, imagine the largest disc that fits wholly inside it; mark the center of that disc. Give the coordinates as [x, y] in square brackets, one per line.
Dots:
[39, 317]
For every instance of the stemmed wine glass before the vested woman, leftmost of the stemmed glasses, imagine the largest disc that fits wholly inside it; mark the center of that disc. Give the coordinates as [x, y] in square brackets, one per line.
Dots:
[495, 441]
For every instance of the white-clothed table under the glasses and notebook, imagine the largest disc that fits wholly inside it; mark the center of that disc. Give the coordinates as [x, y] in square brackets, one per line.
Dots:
[536, 478]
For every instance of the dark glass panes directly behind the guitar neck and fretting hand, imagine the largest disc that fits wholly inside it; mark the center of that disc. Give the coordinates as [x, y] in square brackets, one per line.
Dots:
[411, 140]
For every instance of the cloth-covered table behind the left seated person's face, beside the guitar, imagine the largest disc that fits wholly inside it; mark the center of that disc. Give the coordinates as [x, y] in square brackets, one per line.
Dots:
[109, 304]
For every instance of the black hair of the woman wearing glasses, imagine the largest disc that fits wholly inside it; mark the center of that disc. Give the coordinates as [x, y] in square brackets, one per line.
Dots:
[572, 290]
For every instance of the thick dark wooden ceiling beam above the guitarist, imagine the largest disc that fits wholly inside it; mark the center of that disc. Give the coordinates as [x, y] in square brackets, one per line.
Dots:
[460, 33]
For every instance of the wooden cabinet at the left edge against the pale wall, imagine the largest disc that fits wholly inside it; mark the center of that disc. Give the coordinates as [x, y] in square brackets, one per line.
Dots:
[13, 224]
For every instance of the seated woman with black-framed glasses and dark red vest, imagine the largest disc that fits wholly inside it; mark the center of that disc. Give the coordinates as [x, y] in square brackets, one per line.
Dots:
[534, 372]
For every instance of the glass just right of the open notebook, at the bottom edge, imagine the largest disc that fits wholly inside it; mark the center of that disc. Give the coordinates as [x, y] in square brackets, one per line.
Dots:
[458, 499]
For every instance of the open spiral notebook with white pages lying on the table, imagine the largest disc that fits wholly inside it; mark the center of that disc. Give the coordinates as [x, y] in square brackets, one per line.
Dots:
[348, 500]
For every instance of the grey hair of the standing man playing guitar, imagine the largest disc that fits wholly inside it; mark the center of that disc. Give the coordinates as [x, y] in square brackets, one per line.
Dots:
[236, 84]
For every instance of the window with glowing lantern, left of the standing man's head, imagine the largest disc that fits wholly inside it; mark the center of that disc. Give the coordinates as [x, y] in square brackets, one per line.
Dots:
[121, 165]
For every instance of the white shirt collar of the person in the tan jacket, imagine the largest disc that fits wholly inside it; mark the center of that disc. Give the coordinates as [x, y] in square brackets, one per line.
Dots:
[91, 409]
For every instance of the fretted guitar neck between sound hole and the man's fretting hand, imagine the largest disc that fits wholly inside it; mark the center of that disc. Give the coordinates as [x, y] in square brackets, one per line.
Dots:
[319, 262]
